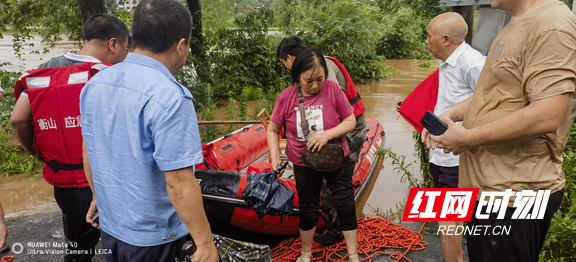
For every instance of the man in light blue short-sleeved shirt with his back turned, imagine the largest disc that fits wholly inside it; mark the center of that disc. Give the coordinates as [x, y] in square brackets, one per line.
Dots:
[142, 140]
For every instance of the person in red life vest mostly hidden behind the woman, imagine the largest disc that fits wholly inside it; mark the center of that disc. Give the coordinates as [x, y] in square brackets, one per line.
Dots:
[287, 51]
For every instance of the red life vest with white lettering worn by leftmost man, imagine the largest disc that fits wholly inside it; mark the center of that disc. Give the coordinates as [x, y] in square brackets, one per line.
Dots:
[54, 95]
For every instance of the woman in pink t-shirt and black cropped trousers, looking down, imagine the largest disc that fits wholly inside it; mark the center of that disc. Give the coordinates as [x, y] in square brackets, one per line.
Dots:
[330, 117]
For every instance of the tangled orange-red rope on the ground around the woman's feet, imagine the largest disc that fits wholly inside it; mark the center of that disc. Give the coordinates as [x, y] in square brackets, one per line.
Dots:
[374, 233]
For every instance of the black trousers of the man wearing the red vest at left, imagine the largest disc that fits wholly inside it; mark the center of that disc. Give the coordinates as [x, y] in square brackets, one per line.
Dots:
[81, 237]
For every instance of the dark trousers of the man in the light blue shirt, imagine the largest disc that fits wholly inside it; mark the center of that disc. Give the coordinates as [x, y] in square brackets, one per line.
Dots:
[118, 251]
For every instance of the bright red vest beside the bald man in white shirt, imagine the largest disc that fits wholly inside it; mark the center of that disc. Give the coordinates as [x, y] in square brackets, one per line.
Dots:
[422, 99]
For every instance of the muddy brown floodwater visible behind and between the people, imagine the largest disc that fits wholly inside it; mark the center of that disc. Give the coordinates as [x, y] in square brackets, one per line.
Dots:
[22, 196]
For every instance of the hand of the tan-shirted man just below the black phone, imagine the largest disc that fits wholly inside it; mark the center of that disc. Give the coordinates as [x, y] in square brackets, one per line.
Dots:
[455, 139]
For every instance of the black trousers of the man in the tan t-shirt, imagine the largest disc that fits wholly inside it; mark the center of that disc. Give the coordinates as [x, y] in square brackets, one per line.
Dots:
[524, 242]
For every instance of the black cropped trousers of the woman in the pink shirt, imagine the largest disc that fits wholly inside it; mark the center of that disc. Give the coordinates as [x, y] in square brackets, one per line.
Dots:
[309, 186]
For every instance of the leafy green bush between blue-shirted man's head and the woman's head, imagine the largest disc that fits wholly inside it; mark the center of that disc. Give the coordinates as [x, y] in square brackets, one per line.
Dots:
[240, 57]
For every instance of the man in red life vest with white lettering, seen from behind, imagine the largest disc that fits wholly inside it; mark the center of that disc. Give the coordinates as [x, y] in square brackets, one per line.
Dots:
[56, 139]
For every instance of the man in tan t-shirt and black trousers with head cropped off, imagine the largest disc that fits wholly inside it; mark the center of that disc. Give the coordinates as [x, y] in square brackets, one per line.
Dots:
[516, 125]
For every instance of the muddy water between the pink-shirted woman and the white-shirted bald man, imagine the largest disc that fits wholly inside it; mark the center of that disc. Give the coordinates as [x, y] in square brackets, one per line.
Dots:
[380, 99]
